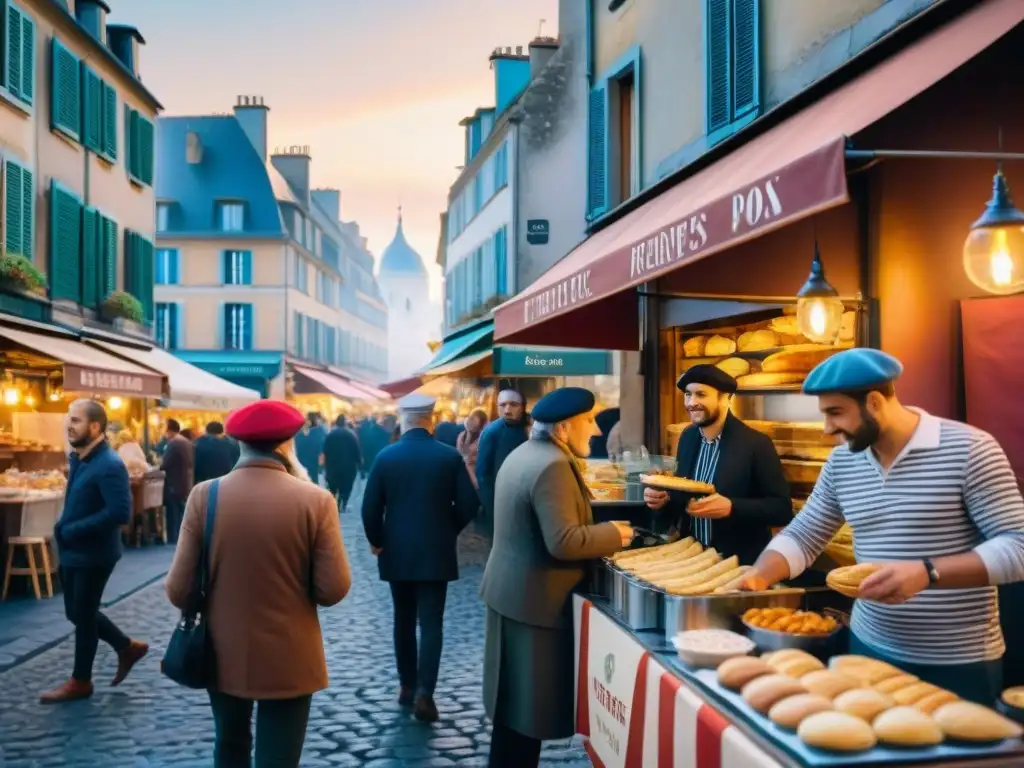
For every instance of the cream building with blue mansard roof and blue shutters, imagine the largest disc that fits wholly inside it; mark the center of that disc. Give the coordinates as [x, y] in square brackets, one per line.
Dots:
[257, 273]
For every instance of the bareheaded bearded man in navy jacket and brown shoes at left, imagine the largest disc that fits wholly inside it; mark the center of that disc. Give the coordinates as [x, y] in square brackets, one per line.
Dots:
[98, 503]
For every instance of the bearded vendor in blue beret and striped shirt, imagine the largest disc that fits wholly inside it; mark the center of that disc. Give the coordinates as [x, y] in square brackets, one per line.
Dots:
[935, 503]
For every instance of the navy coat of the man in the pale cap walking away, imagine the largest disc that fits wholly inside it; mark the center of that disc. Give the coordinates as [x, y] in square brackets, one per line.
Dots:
[418, 499]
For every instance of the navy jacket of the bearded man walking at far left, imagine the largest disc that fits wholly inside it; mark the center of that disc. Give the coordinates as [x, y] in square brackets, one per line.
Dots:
[98, 503]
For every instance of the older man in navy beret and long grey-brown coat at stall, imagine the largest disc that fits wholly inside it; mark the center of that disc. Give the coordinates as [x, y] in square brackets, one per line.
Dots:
[544, 537]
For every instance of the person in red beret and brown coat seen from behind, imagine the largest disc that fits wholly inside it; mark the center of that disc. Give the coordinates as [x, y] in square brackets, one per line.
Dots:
[277, 554]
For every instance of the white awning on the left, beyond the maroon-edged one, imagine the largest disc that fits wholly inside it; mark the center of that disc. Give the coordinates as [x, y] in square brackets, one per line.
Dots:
[192, 389]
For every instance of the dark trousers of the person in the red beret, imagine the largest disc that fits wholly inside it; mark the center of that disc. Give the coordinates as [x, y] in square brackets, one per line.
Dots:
[281, 732]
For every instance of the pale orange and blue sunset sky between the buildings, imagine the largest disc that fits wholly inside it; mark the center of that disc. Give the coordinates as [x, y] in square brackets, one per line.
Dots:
[375, 88]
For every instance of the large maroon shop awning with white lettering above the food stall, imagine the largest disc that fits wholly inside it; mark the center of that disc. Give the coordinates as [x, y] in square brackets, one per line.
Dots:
[788, 174]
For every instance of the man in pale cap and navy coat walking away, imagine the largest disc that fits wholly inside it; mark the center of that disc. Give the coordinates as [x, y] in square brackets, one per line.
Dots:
[417, 500]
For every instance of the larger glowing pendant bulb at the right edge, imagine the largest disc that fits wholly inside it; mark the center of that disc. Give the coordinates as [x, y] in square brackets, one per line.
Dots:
[994, 252]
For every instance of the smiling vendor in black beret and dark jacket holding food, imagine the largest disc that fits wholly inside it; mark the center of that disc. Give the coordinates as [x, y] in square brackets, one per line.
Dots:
[753, 495]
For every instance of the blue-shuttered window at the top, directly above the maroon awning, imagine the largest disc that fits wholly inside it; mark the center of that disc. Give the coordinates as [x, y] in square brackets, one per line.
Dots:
[733, 66]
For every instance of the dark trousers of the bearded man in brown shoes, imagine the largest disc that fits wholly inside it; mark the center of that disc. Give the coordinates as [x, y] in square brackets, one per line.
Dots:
[83, 593]
